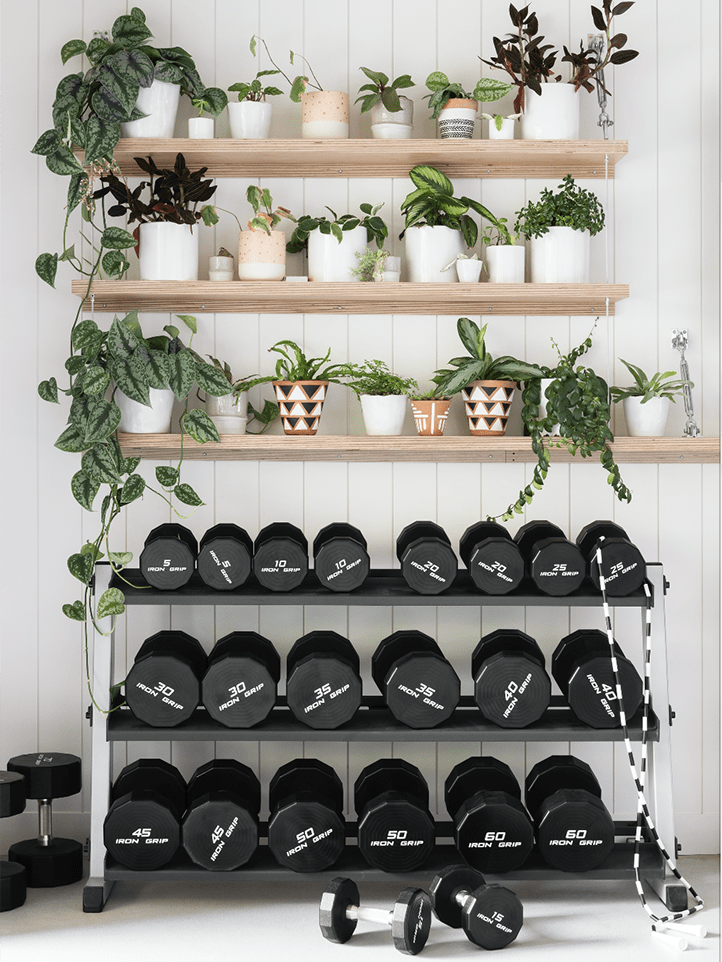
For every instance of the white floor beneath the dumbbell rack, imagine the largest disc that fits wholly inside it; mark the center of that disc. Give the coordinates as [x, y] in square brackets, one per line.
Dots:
[156, 922]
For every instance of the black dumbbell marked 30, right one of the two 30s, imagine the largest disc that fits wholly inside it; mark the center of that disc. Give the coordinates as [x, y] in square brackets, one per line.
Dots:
[240, 684]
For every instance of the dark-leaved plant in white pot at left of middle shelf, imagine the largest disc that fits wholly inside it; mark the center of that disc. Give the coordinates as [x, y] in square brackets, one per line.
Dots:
[168, 244]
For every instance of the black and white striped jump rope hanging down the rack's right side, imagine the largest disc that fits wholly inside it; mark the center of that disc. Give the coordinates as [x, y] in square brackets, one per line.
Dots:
[643, 814]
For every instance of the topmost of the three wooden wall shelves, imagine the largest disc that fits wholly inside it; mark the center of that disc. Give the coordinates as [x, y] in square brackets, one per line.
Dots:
[378, 158]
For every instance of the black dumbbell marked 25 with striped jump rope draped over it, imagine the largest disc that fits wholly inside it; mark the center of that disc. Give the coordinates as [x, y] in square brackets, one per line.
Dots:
[623, 565]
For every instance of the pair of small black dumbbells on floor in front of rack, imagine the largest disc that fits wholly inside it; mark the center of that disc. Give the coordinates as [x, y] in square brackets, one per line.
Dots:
[490, 915]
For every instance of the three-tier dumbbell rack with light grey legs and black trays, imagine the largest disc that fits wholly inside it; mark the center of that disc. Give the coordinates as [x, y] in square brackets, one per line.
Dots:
[375, 723]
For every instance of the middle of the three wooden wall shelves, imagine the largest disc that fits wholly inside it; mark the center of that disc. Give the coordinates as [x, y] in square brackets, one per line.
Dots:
[268, 297]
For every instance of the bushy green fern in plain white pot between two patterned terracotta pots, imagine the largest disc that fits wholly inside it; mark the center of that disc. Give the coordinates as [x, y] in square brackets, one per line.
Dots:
[383, 396]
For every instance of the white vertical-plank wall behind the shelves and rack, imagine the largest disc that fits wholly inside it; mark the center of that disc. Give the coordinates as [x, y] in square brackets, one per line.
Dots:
[663, 241]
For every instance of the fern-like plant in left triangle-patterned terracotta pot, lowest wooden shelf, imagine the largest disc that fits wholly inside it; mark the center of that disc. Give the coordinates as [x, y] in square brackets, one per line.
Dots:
[300, 384]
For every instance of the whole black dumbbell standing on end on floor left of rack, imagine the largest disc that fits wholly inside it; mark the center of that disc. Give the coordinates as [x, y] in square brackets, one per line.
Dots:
[48, 861]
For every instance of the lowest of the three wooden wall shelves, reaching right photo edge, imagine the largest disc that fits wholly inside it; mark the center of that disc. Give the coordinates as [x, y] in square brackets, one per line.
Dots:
[447, 449]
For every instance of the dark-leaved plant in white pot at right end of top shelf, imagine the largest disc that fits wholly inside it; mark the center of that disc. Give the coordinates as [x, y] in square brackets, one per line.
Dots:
[550, 109]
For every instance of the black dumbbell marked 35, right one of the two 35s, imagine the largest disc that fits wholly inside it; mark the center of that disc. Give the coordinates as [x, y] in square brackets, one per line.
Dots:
[419, 685]
